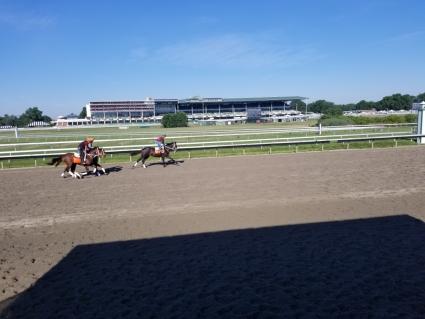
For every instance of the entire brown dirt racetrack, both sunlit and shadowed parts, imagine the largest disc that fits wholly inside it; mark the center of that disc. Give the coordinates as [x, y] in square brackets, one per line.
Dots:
[51, 226]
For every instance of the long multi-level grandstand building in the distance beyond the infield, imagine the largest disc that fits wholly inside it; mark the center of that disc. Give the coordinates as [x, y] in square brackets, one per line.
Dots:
[196, 108]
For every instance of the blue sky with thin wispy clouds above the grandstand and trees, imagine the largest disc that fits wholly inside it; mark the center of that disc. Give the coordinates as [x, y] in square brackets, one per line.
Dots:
[59, 55]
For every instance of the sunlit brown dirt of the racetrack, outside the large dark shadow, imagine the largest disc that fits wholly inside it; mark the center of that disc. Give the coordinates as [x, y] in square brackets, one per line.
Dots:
[45, 217]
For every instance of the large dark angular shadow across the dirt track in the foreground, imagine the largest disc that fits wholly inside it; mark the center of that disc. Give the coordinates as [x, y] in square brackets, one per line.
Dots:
[371, 268]
